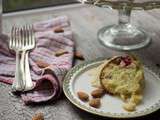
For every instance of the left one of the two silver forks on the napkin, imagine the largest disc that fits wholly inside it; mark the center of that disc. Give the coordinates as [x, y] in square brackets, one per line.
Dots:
[15, 44]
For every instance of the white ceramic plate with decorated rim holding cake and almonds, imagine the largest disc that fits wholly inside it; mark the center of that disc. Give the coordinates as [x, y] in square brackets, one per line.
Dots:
[79, 79]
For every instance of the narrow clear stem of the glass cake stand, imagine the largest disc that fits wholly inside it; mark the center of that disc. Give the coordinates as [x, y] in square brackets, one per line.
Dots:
[124, 15]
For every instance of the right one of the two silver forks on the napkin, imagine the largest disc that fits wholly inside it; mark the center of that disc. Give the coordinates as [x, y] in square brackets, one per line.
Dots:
[28, 42]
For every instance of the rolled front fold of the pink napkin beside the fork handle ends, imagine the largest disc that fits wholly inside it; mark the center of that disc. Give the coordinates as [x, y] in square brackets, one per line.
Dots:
[47, 88]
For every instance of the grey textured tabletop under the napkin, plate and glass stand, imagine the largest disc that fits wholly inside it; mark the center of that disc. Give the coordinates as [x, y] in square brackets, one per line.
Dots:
[86, 21]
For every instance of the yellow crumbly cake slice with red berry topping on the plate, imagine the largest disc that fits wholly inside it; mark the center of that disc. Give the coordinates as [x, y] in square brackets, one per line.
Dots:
[123, 76]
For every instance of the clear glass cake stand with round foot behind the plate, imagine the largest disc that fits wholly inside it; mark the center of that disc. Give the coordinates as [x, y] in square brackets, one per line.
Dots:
[125, 36]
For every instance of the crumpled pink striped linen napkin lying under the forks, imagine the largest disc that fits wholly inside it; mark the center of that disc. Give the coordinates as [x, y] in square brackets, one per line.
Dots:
[49, 79]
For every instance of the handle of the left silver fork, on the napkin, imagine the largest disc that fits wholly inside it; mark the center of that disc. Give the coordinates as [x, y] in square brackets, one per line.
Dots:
[18, 84]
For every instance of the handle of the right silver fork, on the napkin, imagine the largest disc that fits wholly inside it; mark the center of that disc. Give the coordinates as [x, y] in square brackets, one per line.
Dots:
[28, 81]
